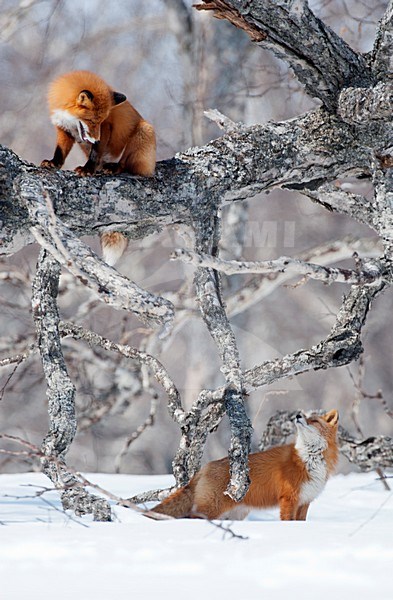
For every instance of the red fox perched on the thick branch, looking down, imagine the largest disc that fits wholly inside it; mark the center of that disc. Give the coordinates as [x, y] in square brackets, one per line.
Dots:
[112, 134]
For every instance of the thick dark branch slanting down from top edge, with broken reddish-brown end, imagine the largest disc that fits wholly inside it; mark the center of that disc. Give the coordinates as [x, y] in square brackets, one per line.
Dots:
[325, 66]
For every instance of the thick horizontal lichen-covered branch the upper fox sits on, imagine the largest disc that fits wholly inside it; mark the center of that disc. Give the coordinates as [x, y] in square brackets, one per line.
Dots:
[315, 147]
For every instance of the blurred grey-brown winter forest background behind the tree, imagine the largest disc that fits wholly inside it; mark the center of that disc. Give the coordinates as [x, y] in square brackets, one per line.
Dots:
[173, 63]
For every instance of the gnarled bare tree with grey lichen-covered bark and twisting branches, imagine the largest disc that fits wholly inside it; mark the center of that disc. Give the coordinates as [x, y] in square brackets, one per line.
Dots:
[348, 136]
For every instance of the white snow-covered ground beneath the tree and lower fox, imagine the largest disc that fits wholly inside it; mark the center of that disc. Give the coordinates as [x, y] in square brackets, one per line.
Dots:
[344, 550]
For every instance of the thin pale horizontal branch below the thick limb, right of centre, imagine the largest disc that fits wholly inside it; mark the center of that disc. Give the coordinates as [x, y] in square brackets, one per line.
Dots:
[369, 275]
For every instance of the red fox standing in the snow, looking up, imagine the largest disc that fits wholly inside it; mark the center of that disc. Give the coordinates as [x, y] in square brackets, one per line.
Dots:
[289, 476]
